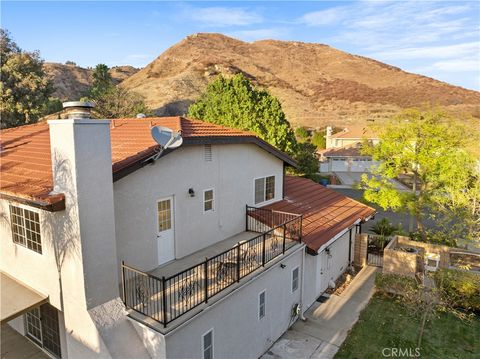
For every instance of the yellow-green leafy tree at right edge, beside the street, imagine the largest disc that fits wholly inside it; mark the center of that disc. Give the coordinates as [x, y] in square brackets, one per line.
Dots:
[434, 150]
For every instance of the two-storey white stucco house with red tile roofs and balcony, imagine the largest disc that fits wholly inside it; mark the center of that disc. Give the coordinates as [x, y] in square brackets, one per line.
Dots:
[111, 249]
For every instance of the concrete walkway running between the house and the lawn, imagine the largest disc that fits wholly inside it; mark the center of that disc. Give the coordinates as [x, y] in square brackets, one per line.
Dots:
[327, 324]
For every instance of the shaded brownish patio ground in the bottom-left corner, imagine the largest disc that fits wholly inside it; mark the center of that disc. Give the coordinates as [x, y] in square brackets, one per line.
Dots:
[16, 346]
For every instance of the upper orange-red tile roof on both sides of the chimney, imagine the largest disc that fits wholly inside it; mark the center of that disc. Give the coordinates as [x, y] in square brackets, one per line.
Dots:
[26, 166]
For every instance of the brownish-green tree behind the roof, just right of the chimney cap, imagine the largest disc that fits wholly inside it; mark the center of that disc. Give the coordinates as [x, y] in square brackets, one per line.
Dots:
[118, 102]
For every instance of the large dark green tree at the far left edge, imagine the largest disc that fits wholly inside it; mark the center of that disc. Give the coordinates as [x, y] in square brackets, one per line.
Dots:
[25, 87]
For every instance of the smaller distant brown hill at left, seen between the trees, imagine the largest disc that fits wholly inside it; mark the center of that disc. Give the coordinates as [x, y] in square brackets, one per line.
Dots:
[72, 82]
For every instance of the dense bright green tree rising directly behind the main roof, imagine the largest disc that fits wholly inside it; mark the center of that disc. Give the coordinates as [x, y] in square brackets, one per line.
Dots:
[234, 102]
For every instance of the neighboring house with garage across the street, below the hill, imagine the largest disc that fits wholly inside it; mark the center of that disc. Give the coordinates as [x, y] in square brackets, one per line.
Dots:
[343, 150]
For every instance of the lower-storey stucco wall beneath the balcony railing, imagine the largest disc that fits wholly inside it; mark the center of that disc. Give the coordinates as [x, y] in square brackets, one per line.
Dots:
[236, 316]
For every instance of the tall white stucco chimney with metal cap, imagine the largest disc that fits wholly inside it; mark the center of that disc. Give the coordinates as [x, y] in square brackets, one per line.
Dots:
[82, 170]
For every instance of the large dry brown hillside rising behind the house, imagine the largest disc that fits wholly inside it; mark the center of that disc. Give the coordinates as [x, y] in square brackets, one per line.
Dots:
[316, 83]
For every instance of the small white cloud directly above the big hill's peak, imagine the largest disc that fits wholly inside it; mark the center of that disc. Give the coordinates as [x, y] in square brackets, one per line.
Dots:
[223, 16]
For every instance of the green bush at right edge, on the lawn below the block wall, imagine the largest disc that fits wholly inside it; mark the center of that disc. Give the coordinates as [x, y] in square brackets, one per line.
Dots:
[459, 289]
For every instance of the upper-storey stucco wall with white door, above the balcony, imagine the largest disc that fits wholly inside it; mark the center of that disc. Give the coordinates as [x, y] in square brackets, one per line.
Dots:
[231, 174]
